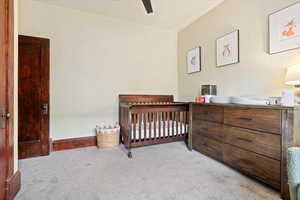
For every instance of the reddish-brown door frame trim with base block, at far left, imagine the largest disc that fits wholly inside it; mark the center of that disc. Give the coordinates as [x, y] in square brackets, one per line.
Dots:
[12, 179]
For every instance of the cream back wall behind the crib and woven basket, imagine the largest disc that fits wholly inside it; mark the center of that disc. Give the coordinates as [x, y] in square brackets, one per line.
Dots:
[95, 58]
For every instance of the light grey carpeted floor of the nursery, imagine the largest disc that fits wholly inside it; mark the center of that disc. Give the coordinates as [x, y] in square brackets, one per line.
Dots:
[161, 172]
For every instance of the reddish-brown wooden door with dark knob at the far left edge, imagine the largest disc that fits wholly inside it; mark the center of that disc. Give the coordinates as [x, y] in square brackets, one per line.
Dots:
[6, 98]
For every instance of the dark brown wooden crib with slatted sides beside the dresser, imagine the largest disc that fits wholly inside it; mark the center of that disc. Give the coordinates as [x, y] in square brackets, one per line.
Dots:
[151, 119]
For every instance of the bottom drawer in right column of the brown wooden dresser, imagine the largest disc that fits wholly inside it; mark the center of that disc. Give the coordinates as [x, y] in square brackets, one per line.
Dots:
[260, 167]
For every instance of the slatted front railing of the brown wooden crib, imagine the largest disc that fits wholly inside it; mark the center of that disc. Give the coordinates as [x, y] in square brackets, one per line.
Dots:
[147, 125]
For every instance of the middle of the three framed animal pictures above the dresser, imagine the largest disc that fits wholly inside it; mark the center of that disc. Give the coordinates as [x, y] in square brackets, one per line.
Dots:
[227, 49]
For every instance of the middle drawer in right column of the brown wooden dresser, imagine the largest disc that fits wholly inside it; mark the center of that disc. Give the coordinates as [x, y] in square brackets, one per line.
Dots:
[262, 143]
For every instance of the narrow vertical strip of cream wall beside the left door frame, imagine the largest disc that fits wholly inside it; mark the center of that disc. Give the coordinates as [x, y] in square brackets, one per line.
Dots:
[16, 86]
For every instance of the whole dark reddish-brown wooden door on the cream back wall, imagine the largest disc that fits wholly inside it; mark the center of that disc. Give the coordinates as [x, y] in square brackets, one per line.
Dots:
[33, 97]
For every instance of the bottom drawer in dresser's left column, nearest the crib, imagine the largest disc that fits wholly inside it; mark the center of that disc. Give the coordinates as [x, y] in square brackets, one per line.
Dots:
[208, 147]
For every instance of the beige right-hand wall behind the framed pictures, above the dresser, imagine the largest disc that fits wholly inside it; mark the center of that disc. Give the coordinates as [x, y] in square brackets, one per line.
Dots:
[258, 74]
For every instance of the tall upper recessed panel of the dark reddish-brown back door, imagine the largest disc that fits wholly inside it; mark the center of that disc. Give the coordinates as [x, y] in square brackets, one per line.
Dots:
[29, 92]
